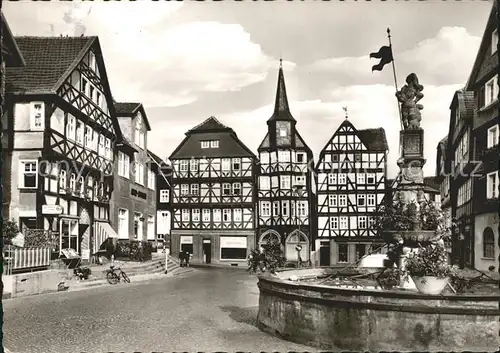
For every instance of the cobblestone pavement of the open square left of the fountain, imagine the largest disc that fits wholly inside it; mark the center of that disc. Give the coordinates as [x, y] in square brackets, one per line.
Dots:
[210, 310]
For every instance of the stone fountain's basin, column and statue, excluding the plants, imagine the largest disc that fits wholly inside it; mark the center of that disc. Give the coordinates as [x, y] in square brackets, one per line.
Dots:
[365, 319]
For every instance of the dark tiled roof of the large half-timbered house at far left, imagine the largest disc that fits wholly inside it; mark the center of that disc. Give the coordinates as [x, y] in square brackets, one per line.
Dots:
[49, 61]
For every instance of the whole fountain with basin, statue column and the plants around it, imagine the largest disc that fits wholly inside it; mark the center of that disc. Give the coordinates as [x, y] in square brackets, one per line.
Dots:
[301, 306]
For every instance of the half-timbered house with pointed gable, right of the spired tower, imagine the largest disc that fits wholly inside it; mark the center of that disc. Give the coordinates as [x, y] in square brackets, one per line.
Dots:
[351, 177]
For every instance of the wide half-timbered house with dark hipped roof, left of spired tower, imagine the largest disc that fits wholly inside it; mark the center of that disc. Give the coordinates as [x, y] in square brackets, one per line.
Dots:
[213, 195]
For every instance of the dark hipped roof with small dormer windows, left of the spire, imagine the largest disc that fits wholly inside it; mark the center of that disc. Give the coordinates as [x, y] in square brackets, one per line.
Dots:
[211, 129]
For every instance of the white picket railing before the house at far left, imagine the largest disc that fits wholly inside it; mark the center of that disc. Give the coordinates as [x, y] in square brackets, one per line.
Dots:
[17, 260]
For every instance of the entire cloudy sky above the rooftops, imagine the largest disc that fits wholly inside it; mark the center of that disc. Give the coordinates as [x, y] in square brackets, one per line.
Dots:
[187, 61]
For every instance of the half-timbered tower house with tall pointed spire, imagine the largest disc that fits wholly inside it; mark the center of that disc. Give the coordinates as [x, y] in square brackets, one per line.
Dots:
[285, 182]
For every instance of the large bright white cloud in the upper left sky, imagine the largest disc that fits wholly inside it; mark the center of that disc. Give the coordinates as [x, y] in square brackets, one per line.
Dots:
[149, 56]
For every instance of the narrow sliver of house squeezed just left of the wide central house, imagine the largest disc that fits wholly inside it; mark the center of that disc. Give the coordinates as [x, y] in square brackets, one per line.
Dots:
[163, 204]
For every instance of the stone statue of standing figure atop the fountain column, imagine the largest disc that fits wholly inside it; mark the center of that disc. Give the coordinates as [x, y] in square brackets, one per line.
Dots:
[408, 96]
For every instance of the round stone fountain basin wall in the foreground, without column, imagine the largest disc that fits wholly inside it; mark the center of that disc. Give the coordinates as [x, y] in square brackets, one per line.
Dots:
[362, 319]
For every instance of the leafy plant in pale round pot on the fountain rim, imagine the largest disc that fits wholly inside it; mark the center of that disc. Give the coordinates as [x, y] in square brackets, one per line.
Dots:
[429, 269]
